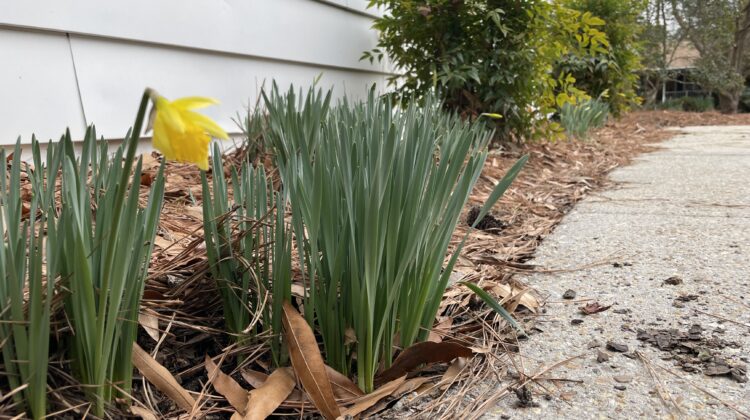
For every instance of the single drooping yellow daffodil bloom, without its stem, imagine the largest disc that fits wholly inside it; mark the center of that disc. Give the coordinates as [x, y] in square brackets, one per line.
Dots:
[181, 134]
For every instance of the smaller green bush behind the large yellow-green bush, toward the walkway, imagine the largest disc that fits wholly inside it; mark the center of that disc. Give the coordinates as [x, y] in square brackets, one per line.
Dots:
[611, 74]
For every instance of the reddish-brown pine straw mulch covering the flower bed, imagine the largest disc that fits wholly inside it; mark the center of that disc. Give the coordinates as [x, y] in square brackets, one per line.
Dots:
[180, 293]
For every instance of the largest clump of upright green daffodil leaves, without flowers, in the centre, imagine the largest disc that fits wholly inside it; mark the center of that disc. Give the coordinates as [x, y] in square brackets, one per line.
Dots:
[375, 196]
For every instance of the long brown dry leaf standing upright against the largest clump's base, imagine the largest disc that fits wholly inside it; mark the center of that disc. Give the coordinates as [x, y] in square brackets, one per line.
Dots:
[308, 363]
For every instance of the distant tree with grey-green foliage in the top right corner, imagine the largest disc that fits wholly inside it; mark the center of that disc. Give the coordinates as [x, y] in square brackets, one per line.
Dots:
[718, 29]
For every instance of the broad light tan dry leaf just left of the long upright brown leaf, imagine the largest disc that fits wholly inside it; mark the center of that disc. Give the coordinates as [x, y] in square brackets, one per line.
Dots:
[263, 401]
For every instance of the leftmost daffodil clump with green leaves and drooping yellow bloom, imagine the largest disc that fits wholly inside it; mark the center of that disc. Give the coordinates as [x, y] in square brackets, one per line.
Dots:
[93, 249]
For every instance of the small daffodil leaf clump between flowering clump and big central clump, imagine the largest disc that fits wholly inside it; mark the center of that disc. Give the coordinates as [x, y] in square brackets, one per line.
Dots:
[248, 252]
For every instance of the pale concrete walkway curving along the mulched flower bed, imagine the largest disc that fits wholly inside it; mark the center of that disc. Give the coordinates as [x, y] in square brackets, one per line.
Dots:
[682, 212]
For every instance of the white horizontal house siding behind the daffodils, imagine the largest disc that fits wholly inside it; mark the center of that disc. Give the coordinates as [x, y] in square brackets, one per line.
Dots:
[69, 63]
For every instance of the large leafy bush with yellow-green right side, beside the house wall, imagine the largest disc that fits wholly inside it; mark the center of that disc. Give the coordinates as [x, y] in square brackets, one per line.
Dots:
[494, 56]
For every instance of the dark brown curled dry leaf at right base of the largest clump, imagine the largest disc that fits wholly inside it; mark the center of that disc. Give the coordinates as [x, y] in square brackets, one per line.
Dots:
[420, 353]
